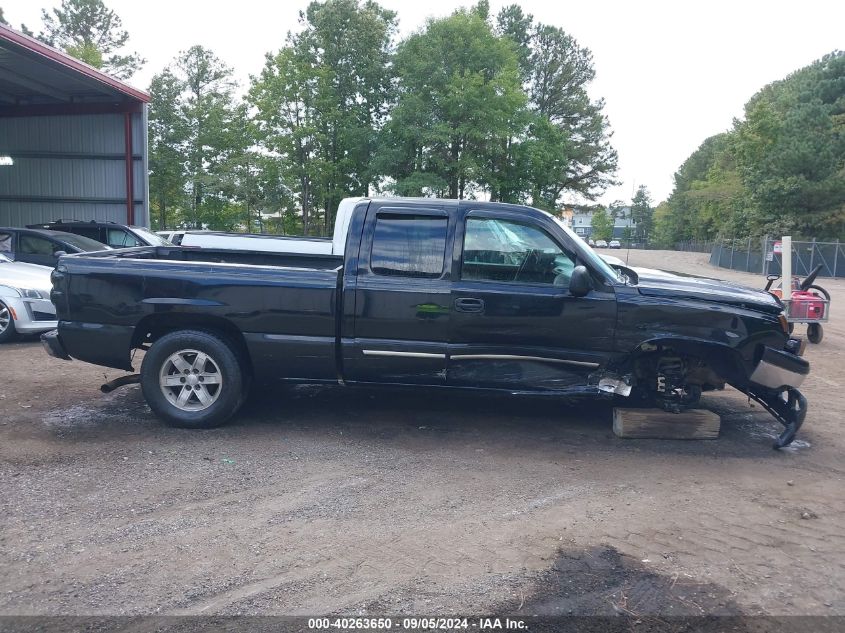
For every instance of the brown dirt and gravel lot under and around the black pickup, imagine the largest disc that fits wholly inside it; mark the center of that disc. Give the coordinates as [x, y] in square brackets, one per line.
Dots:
[320, 500]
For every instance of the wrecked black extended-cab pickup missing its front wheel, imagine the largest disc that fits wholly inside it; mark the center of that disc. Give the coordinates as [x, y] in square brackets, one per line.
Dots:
[433, 293]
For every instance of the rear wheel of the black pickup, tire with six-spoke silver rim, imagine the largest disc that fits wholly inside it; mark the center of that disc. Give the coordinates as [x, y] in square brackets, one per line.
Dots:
[188, 390]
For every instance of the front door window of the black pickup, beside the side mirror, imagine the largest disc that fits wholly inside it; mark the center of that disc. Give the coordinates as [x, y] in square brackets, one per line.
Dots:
[504, 250]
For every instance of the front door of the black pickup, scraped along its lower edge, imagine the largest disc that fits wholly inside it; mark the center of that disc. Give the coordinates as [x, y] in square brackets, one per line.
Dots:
[514, 323]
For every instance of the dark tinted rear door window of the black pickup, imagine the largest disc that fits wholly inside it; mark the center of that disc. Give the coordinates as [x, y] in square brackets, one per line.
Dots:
[409, 245]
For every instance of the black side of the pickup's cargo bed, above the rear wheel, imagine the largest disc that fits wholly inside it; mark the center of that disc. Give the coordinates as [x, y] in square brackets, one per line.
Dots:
[283, 305]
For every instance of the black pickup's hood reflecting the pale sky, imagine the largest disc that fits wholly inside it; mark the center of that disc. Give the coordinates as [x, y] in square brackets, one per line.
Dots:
[658, 283]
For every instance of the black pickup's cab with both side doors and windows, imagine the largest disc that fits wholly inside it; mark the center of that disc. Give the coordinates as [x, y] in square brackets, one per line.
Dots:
[473, 295]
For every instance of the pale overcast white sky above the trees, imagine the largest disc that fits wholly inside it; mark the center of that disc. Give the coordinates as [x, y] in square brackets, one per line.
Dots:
[672, 73]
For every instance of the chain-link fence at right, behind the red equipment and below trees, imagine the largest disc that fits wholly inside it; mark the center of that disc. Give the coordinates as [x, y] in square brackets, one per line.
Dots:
[764, 256]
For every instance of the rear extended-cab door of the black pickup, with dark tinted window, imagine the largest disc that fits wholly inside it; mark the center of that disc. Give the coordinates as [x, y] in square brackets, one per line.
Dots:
[401, 296]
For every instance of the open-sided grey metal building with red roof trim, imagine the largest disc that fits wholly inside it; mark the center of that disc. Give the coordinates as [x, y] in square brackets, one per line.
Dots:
[73, 140]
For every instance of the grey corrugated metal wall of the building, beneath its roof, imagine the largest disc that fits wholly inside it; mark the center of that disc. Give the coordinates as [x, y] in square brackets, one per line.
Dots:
[71, 167]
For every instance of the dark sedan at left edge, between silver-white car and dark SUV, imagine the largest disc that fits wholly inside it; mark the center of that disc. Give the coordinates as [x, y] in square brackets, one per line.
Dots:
[37, 246]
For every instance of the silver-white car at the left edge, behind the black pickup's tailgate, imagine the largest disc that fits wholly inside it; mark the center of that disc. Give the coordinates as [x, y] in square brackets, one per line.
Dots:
[25, 306]
